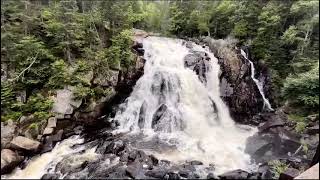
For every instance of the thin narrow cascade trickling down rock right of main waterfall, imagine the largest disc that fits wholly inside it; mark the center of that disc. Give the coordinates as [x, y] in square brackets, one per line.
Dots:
[266, 102]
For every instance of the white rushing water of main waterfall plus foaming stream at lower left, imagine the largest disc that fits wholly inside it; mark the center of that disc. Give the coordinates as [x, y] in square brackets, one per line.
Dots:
[182, 116]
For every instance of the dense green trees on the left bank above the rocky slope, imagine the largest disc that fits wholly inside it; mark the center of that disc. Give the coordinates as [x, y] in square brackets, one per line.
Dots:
[50, 45]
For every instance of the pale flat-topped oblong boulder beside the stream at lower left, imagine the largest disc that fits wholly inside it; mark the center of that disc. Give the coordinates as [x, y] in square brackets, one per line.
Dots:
[23, 143]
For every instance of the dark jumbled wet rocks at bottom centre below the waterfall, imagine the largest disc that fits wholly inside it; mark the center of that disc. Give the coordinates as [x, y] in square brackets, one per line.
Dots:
[118, 158]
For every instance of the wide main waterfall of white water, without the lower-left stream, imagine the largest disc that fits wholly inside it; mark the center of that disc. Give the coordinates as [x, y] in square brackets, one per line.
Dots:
[190, 122]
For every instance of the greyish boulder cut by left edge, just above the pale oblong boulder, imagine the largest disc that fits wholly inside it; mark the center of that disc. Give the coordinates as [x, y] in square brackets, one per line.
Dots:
[8, 131]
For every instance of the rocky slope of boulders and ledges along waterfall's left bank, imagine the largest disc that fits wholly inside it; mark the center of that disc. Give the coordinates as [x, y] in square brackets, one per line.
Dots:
[69, 115]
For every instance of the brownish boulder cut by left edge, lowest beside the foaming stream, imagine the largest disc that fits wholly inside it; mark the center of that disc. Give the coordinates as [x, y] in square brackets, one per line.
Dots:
[9, 160]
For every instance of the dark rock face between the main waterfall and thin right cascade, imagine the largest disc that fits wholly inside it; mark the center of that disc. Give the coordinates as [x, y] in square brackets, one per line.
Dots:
[237, 88]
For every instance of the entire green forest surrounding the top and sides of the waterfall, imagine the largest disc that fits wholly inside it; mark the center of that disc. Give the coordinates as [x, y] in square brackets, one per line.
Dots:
[50, 36]
